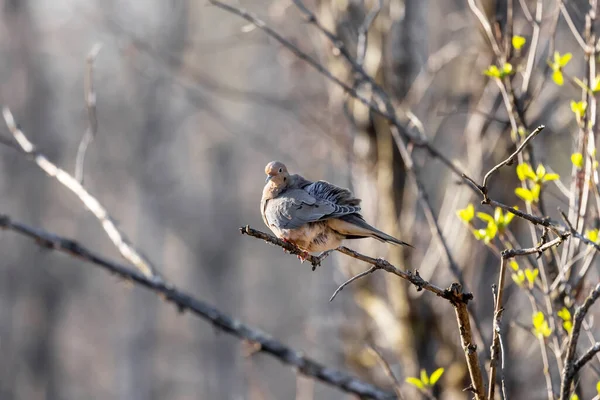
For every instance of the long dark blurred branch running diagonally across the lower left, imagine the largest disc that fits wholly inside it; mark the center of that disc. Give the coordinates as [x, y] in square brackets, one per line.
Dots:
[224, 322]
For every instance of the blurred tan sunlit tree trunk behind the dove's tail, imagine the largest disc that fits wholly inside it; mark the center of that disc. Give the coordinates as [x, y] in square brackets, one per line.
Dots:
[378, 176]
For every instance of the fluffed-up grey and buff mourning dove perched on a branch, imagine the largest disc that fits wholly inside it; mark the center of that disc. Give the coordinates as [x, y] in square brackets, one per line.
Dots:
[314, 216]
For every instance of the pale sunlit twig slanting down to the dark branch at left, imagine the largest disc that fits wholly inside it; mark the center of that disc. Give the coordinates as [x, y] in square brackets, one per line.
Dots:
[126, 249]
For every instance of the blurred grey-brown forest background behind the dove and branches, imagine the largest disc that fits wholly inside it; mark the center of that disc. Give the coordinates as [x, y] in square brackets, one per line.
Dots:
[192, 102]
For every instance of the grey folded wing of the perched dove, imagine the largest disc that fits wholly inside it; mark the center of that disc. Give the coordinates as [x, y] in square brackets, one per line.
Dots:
[296, 207]
